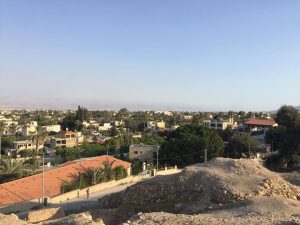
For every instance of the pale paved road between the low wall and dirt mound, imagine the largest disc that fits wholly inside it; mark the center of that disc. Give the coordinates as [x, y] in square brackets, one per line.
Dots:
[85, 203]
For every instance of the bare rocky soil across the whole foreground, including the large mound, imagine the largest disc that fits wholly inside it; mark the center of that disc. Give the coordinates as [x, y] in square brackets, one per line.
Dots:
[221, 191]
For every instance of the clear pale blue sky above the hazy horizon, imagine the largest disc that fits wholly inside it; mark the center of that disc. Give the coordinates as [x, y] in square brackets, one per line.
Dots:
[199, 55]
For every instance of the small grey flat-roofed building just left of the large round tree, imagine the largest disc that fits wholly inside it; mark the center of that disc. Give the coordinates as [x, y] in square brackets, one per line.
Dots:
[143, 153]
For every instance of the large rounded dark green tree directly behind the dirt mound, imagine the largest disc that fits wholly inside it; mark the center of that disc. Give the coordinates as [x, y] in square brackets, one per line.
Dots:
[186, 145]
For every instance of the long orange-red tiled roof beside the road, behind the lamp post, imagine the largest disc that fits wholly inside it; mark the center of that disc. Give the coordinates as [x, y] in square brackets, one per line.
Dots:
[29, 188]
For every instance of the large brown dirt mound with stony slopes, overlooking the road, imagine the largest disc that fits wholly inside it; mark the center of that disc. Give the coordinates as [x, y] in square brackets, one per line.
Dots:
[216, 184]
